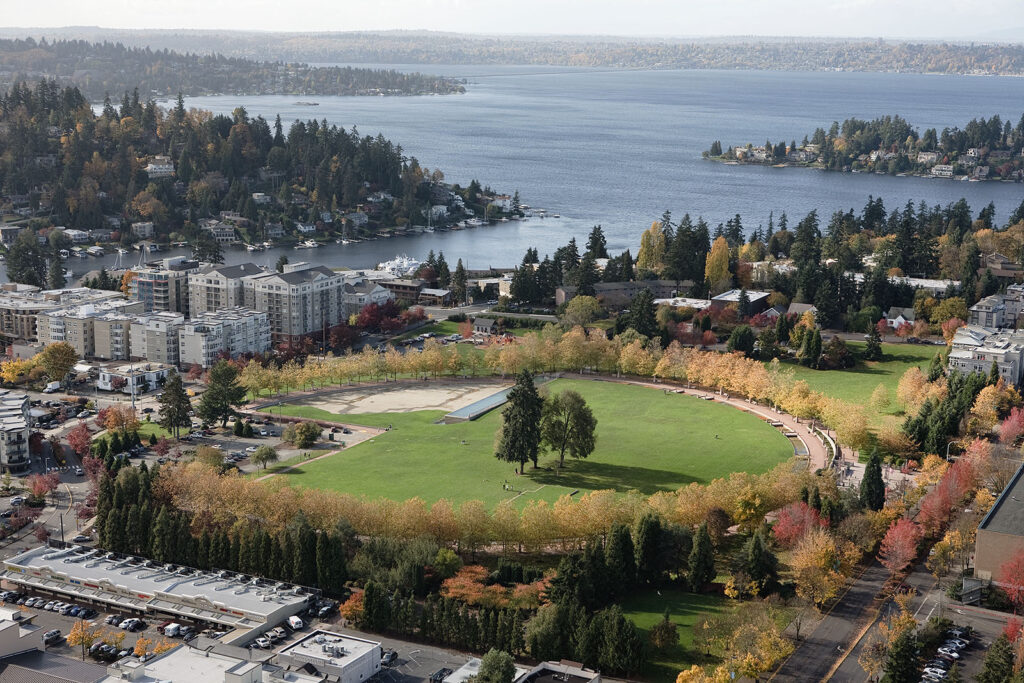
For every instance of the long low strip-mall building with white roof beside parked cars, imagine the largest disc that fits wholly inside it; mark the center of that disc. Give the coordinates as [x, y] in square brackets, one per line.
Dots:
[138, 586]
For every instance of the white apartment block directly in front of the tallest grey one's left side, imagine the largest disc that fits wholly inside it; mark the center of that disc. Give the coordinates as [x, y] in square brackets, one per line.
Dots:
[231, 331]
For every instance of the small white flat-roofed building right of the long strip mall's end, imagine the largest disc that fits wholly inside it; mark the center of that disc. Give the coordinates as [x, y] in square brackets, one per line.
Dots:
[345, 659]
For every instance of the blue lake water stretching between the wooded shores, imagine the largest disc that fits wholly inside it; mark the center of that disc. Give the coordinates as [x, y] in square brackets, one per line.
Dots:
[618, 148]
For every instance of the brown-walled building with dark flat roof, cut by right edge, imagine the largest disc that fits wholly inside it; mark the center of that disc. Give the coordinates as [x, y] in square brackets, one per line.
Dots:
[1001, 535]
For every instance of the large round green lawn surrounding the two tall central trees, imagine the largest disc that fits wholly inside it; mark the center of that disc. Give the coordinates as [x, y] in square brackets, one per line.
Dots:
[648, 441]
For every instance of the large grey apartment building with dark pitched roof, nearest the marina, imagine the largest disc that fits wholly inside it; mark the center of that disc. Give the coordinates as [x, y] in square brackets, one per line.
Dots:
[301, 302]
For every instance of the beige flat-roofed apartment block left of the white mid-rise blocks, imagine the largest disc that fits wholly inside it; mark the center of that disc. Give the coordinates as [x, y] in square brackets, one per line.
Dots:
[77, 326]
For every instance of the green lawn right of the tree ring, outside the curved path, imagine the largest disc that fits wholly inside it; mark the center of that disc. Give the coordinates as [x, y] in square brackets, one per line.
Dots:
[857, 385]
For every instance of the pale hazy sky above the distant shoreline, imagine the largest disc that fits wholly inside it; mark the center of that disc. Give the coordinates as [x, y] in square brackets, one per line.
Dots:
[963, 20]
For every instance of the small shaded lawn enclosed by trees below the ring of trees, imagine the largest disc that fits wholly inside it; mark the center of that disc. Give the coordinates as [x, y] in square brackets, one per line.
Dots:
[647, 609]
